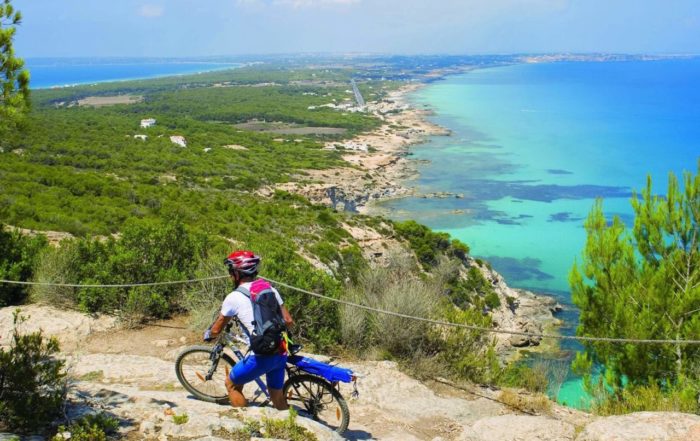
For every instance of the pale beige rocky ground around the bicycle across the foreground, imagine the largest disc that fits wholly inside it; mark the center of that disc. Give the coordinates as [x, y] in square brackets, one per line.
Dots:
[130, 374]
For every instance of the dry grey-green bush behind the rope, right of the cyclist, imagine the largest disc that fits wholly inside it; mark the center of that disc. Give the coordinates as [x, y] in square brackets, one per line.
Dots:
[425, 348]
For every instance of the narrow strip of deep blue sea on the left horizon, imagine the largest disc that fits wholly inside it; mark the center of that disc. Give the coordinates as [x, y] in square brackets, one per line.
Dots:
[59, 72]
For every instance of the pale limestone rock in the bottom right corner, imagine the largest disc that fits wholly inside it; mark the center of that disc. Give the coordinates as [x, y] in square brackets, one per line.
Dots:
[644, 426]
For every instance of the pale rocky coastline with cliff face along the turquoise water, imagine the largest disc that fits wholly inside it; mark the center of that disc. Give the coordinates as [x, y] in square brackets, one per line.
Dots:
[381, 169]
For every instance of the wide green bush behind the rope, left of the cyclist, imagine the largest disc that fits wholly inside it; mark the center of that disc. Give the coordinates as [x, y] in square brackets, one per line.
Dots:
[145, 252]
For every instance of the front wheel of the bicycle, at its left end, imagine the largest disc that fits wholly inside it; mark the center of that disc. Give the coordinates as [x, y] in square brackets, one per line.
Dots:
[193, 367]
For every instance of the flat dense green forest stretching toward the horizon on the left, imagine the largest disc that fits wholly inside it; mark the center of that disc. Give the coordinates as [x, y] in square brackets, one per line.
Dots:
[80, 169]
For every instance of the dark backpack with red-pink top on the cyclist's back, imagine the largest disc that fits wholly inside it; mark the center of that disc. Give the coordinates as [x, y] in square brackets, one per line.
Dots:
[268, 323]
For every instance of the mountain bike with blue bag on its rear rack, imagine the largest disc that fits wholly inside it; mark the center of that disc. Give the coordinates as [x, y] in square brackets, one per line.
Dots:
[312, 387]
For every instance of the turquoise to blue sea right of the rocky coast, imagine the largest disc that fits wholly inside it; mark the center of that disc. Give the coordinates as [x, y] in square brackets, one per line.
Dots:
[533, 145]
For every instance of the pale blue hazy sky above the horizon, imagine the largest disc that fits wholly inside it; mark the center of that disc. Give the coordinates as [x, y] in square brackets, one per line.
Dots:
[182, 28]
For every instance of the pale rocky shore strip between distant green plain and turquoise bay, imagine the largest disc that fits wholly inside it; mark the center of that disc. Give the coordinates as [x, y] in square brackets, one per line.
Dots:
[378, 160]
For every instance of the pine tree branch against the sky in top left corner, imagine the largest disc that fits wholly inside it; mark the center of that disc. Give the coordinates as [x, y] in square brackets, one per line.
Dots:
[14, 79]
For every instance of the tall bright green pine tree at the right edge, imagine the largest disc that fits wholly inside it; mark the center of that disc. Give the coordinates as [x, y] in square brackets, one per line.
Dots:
[643, 284]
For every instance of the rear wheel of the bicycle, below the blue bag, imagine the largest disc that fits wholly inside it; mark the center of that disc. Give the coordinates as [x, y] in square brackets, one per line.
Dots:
[319, 399]
